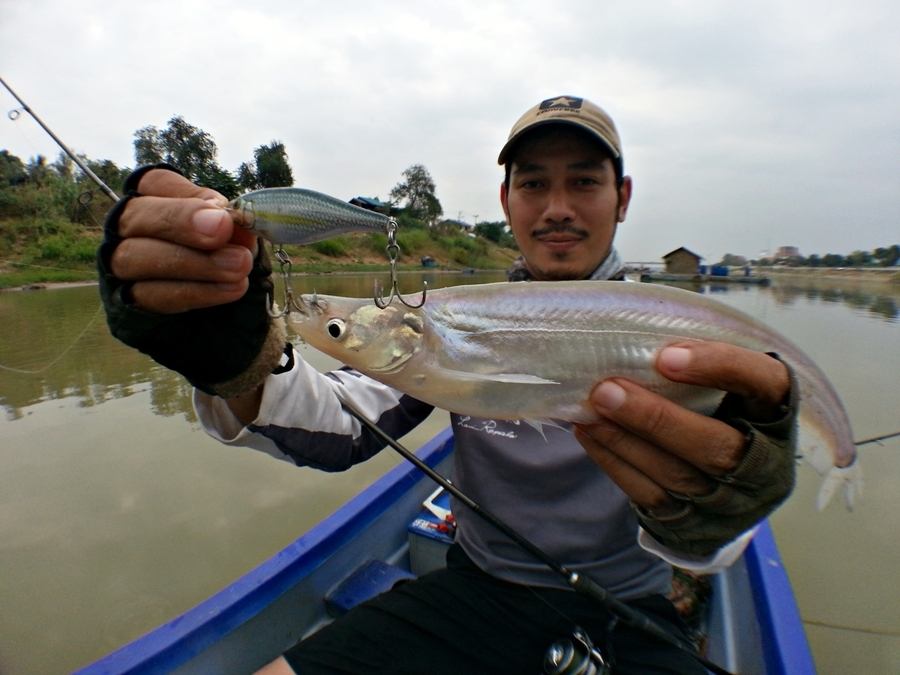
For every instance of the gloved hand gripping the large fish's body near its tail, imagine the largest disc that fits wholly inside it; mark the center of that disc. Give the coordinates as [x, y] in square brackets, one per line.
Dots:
[698, 482]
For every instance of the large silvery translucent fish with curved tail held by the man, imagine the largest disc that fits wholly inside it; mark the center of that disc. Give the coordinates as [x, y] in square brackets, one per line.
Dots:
[535, 350]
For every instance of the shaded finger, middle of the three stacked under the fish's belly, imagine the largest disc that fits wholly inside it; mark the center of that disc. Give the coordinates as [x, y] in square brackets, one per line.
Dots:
[662, 467]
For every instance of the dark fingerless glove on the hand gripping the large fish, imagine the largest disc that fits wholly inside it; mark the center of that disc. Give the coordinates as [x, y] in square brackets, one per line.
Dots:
[743, 497]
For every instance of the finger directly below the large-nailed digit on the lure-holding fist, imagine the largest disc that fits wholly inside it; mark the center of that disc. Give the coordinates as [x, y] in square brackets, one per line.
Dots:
[139, 259]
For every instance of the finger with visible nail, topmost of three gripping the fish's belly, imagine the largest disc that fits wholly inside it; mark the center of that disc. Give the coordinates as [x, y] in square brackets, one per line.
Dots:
[710, 445]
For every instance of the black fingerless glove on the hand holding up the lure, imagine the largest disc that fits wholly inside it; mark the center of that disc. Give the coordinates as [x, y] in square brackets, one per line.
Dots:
[223, 350]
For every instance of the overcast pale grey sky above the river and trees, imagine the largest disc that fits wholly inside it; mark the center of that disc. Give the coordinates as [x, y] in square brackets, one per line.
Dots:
[745, 126]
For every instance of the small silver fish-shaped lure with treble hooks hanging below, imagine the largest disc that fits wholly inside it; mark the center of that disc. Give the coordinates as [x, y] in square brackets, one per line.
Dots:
[300, 216]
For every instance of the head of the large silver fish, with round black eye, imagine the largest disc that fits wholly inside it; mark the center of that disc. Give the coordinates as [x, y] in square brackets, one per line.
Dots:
[360, 334]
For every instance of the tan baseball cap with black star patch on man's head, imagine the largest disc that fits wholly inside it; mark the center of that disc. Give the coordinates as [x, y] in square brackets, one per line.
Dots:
[572, 110]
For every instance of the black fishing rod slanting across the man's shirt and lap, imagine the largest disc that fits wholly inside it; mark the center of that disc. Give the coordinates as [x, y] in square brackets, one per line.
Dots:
[579, 583]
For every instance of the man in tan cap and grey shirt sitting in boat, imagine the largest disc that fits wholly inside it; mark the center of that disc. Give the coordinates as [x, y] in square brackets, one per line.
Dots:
[617, 501]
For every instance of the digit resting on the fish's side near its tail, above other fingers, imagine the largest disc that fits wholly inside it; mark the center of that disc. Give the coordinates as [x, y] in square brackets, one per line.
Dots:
[727, 367]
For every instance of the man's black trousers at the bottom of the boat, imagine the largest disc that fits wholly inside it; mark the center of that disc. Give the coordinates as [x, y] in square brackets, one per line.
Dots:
[461, 621]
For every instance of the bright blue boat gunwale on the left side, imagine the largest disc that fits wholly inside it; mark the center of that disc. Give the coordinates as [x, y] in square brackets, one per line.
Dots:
[177, 641]
